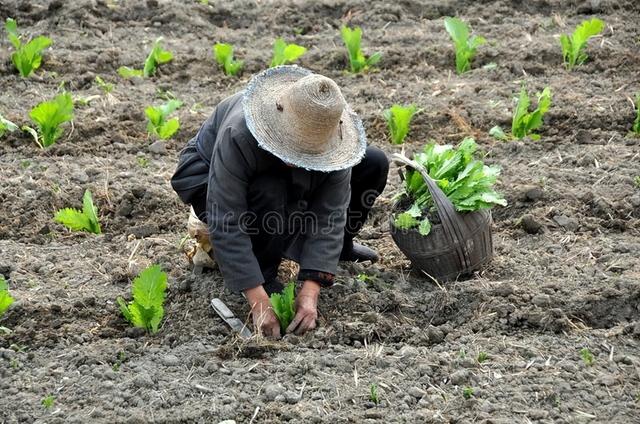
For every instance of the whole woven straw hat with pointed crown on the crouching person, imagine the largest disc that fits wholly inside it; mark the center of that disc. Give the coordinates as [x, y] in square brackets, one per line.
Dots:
[303, 119]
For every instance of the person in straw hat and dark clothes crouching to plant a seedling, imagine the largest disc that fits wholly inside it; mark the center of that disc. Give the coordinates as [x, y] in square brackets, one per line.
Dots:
[282, 170]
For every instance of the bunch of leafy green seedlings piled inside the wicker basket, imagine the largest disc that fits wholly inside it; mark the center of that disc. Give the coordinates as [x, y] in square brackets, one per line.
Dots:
[466, 181]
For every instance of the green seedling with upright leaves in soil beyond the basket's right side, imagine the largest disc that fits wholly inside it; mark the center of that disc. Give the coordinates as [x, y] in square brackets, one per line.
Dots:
[524, 122]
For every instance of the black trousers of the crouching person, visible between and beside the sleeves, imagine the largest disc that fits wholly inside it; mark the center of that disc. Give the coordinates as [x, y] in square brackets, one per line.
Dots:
[267, 196]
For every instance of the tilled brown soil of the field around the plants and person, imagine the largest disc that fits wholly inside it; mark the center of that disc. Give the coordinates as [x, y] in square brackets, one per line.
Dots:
[572, 284]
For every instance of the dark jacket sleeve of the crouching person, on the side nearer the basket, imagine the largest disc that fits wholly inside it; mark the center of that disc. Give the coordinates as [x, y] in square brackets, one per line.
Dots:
[322, 247]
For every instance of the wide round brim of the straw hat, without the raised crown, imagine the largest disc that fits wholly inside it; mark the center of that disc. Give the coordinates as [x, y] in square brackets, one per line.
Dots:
[280, 138]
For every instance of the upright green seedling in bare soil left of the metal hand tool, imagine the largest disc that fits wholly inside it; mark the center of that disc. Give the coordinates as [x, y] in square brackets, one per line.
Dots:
[146, 310]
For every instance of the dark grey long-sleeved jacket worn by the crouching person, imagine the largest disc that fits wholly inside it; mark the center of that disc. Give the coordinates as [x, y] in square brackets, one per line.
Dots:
[226, 158]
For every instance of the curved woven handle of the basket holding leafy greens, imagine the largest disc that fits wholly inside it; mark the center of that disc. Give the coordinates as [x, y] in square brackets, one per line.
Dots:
[455, 228]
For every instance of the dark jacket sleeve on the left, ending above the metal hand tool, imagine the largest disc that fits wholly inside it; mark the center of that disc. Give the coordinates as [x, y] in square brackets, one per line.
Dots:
[233, 165]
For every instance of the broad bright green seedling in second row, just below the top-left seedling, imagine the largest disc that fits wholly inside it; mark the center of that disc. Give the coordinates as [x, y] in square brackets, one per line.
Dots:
[49, 116]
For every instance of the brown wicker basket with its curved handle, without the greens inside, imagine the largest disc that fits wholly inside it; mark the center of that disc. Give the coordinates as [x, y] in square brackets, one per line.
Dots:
[456, 247]
